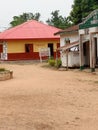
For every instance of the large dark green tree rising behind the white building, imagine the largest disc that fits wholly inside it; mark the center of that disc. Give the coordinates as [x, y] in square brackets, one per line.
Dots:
[81, 9]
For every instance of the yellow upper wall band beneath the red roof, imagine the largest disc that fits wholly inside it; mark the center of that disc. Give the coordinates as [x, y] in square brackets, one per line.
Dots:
[18, 46]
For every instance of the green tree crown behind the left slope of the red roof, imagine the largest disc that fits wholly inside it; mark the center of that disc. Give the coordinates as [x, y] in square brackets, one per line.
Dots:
[23, 18]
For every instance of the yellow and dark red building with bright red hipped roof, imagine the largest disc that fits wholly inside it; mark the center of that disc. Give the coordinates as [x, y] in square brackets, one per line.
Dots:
[24, 41]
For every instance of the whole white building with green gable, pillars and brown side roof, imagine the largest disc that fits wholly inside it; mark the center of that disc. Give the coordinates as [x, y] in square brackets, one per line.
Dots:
[84, 35]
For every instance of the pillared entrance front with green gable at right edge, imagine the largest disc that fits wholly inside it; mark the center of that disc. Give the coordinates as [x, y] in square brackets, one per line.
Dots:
[88, 41]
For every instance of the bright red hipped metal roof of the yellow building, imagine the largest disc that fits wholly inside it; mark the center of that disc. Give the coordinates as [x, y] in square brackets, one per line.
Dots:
[30, 30]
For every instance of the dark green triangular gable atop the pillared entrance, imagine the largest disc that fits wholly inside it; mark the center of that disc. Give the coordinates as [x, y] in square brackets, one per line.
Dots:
[90, 21]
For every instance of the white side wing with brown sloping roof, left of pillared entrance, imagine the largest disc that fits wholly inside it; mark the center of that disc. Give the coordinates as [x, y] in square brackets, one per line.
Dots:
[69, 38]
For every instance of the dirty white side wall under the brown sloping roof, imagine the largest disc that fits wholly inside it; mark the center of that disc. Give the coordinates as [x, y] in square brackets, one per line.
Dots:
[73, 58]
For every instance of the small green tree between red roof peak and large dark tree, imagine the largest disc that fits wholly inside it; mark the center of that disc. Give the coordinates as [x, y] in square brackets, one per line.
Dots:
[58, 21]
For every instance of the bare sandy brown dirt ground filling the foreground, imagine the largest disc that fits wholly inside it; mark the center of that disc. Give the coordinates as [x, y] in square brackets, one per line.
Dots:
[40, 98]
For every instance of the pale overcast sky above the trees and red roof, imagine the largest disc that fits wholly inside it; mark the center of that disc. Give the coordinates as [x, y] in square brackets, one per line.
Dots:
[10, 8]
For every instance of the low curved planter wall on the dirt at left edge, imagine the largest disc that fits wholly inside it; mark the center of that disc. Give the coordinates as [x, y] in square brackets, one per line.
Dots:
[5, 75]
